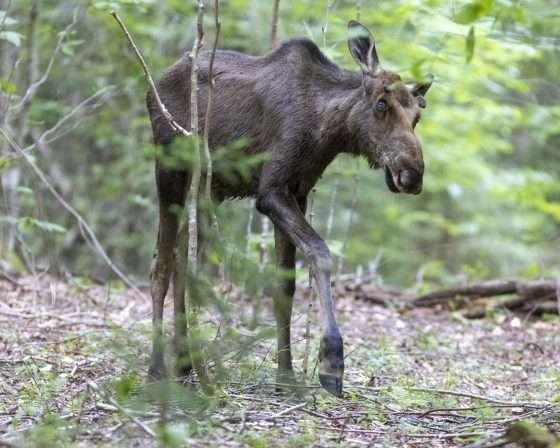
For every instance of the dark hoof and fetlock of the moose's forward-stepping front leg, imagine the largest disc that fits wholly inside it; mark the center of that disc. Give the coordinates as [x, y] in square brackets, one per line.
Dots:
[331, 363]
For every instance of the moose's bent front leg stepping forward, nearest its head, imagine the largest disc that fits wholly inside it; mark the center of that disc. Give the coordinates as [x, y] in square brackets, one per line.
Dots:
[283, 209]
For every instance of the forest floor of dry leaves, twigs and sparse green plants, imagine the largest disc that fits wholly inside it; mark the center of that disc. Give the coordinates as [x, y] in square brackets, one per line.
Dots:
[73, 359]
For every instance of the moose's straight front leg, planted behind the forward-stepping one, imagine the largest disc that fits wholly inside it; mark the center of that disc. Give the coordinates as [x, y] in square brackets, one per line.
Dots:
[283, 301]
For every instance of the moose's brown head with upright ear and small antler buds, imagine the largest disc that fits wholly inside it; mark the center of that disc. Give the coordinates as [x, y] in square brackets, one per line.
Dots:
[385, 115]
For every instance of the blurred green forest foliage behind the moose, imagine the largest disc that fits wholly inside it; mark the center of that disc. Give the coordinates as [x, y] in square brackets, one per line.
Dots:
[491, 131]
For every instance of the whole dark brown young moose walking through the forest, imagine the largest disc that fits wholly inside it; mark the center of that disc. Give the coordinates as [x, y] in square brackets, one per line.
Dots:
[302, 110]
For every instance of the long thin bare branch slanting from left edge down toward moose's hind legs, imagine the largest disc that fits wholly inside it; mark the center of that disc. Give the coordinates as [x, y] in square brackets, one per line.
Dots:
[91, 237]
